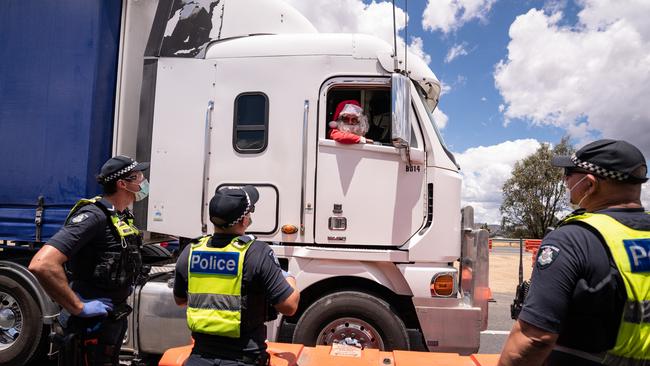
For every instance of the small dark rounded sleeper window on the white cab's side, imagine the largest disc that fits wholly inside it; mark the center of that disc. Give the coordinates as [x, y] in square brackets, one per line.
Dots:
[251, 123]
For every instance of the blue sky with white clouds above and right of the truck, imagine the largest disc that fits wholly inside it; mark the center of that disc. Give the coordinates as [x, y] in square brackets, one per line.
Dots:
[525, 72]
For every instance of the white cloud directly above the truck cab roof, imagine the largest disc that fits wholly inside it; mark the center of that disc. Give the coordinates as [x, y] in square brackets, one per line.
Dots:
[353, 16]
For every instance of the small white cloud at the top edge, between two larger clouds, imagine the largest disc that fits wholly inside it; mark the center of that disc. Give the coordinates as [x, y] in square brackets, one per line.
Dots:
[449, 15]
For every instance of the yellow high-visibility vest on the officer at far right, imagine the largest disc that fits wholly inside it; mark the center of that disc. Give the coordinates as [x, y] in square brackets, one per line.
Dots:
[630, 250]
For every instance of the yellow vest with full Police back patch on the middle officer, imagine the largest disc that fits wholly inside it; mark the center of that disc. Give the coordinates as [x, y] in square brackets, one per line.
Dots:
[214, 287]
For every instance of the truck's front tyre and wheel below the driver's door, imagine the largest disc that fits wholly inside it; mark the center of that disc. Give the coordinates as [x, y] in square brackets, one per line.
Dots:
[353, 318]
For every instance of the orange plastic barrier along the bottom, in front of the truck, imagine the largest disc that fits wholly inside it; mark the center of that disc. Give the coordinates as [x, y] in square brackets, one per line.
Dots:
[285, 354]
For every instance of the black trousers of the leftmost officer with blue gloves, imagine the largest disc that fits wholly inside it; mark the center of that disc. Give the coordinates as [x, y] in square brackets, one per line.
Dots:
[92, 341]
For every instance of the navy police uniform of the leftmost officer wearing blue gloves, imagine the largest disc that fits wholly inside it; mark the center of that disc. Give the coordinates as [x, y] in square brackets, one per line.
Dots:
[88, 239]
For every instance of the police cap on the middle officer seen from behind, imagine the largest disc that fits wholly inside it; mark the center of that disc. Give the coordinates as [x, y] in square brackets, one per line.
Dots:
[230, 204]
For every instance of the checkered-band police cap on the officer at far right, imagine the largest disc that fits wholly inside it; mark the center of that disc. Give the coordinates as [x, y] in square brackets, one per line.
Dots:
[612, 159]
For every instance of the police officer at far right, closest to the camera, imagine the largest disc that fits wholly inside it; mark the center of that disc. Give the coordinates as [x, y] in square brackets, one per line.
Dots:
[589, 300]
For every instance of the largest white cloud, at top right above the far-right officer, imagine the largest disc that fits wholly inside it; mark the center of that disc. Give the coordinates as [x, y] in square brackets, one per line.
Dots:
[592, 79]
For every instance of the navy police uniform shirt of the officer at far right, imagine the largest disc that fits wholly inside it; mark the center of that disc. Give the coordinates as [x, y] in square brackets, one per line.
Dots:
[577, 292]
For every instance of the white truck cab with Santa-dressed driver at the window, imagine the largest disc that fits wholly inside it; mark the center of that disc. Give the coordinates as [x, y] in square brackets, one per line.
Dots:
[372, 232]
